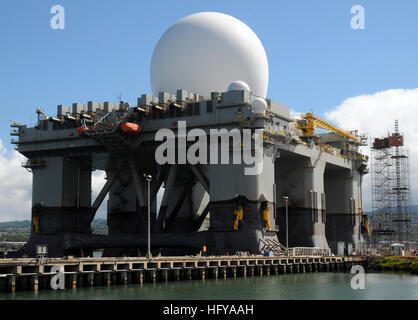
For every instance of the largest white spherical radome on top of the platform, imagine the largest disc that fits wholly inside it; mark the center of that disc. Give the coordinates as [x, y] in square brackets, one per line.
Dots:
[205, 52]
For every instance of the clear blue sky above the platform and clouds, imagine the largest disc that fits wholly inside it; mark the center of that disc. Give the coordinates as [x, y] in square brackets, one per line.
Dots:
[316, 60]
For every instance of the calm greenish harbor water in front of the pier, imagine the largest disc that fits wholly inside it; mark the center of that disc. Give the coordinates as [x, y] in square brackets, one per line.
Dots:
[305, 286]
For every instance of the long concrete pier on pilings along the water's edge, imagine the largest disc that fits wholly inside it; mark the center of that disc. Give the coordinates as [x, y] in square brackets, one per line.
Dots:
[31, 274]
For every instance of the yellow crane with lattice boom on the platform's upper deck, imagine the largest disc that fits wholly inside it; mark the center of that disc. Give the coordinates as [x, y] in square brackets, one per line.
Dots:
[310, 122]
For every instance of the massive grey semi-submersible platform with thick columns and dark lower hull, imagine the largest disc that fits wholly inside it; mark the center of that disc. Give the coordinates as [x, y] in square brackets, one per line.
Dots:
[208, 204]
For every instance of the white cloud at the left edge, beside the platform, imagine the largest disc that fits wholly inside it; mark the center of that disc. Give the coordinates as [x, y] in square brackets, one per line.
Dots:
[15, 186]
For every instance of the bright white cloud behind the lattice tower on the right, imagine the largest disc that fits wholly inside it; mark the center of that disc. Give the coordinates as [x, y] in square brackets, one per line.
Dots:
[375, 115]
